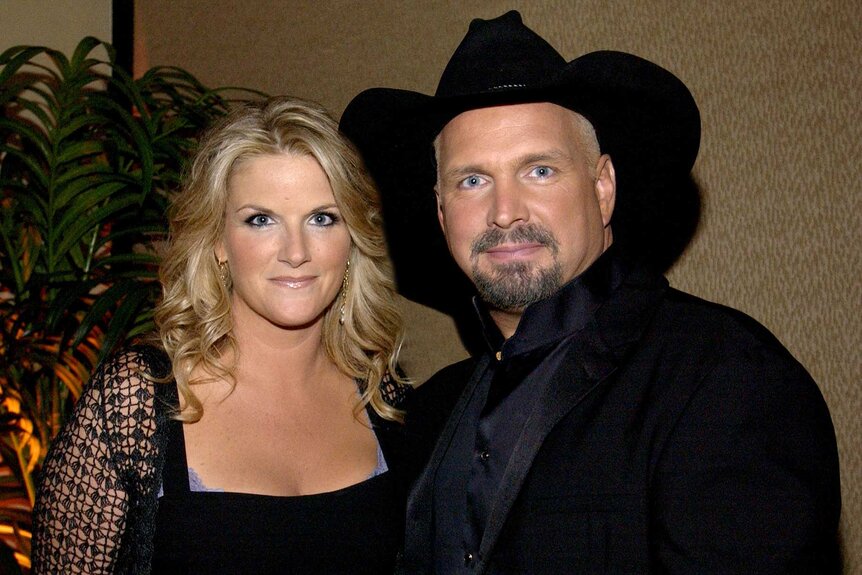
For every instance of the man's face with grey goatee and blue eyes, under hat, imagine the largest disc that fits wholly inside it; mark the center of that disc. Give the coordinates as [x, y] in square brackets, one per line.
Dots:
[524, 201]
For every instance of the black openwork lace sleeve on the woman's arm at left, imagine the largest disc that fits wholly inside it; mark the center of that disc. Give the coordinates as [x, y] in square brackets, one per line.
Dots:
[96, 472]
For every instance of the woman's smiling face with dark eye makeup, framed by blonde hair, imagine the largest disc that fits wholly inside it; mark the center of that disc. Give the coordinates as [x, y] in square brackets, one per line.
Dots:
[284, 241]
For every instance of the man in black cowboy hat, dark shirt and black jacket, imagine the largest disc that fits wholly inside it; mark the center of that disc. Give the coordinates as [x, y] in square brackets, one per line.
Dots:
[612, 424]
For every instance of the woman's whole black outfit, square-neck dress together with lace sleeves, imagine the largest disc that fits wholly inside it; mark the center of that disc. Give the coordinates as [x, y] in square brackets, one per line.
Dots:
[97, 505]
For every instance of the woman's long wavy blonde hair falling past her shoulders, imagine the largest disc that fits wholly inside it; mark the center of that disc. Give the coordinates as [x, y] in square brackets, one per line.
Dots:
[194, 317]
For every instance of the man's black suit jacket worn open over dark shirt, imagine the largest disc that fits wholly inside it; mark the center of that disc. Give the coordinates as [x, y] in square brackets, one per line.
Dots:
[679, 437]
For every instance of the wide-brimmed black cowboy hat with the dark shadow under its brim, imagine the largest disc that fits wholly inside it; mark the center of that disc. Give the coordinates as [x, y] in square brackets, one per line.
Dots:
[644, 117]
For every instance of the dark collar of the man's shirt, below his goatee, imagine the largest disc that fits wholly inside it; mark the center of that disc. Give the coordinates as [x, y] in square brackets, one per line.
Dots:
[567, 311]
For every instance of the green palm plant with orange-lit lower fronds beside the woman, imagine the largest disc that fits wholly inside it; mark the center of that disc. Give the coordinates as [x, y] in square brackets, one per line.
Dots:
[88, 158]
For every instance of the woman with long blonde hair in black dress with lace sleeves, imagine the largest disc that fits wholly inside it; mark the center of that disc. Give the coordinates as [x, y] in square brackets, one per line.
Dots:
[256, 437]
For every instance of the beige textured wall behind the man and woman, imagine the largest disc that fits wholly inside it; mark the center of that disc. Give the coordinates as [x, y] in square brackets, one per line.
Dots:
[778, 83]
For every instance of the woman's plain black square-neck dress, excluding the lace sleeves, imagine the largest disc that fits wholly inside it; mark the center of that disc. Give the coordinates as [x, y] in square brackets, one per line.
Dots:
[354, 530]
